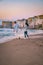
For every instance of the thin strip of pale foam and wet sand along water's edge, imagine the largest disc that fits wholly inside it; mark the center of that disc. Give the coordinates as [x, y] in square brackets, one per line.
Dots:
[10, 38]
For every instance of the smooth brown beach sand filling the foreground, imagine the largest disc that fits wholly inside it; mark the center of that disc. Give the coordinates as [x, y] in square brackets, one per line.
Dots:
[22, 52]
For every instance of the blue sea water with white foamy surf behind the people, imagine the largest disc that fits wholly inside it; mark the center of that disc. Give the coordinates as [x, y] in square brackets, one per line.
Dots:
[7, 34]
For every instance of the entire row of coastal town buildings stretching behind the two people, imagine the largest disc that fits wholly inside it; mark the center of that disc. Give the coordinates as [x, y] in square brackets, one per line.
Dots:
[35, 22]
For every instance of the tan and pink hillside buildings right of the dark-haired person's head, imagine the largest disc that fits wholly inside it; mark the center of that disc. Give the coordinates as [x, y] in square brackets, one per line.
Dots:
[36, 21]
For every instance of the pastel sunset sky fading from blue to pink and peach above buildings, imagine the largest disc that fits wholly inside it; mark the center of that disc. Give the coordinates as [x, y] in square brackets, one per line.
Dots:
[18, 9]
